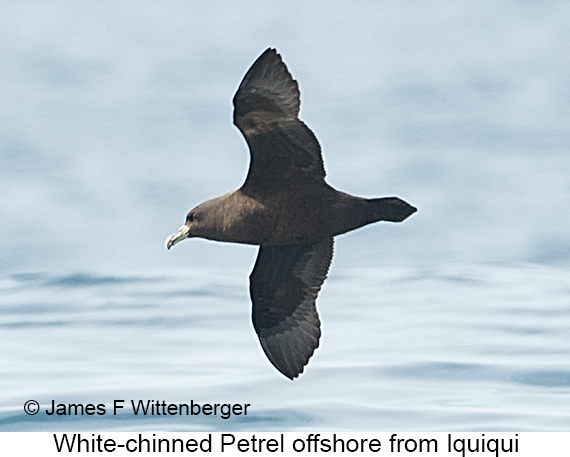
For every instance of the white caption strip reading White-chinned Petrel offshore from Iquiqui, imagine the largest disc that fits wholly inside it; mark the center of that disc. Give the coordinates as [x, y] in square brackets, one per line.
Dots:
[481, 444]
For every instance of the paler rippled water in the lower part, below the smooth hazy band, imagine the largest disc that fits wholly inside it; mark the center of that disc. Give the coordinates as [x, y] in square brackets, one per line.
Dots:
[456, 348]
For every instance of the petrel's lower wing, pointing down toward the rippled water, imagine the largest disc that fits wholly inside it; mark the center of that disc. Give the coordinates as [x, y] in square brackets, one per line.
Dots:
[284, 285]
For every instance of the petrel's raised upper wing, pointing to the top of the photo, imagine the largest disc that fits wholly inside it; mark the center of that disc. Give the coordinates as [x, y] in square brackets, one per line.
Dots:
[283, 149]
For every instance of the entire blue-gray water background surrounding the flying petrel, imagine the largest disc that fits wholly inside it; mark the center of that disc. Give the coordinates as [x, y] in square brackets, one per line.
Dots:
[116, 120]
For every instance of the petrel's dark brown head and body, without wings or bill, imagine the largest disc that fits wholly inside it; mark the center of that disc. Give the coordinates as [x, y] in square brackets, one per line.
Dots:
[306, 215]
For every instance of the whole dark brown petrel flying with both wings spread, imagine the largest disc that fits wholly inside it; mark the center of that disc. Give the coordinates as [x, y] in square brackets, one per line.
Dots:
[288, 210]
